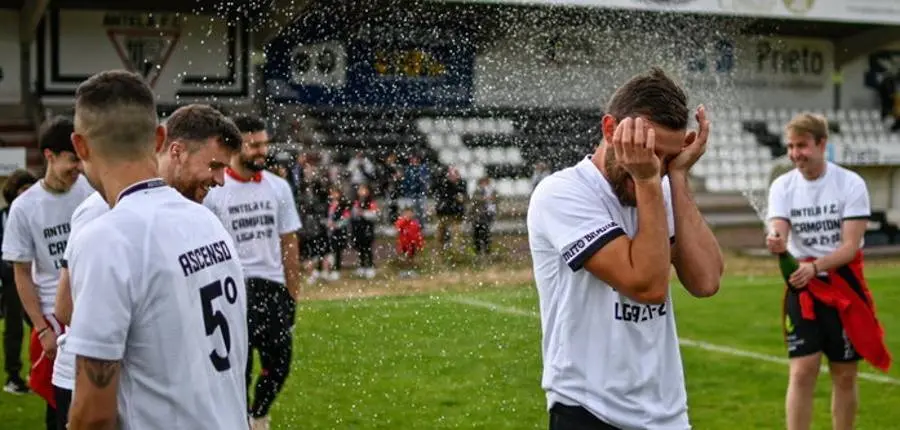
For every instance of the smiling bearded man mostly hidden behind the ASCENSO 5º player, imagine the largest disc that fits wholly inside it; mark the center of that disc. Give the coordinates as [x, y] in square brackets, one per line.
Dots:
[199, 142]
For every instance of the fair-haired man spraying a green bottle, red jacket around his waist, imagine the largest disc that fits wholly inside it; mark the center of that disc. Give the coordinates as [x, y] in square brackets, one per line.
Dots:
[818, 212]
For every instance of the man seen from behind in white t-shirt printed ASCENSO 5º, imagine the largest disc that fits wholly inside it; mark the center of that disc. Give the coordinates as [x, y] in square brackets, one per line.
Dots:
[159, 320]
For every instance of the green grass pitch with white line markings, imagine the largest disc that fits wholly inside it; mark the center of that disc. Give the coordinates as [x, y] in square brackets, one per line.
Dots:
[472, 360]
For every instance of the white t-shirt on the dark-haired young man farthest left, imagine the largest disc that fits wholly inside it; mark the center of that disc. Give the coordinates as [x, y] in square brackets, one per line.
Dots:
[37, 231]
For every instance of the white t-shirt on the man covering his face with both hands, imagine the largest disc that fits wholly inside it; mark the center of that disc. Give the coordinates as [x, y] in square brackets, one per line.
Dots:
[617, 358]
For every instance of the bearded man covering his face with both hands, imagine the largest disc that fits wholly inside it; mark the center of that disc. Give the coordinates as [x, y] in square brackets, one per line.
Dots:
[603, 235]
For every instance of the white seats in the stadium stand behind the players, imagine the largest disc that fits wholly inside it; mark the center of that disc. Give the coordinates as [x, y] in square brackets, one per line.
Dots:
[736, 160]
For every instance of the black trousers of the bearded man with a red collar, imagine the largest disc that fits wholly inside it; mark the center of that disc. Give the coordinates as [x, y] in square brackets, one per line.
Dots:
[270, 321]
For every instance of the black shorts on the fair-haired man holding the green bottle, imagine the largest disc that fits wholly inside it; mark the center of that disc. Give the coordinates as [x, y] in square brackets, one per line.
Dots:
[823, 334]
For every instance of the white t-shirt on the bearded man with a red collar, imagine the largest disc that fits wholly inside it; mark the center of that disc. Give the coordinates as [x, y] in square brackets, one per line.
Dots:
[257, 213]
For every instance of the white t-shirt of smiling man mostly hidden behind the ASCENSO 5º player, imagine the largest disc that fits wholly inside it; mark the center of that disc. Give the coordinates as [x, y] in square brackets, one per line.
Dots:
[64, 364]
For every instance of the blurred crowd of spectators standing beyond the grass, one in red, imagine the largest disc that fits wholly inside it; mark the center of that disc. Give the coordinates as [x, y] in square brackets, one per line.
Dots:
[342, 203]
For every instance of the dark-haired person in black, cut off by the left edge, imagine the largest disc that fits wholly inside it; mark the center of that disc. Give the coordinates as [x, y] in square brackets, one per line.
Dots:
[10, 305]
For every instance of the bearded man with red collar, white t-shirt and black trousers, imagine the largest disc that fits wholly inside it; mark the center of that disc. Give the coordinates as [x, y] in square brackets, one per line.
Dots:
[257, 208]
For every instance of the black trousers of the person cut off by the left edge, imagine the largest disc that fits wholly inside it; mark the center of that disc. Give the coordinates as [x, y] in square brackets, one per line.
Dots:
[14, 331]
